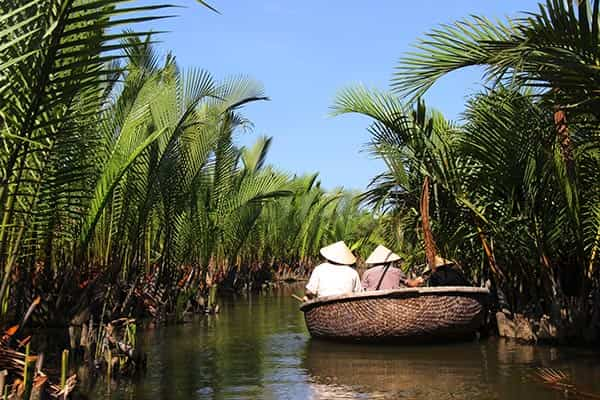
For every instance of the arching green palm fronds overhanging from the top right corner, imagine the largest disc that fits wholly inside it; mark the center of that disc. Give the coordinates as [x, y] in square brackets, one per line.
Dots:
[554, 49]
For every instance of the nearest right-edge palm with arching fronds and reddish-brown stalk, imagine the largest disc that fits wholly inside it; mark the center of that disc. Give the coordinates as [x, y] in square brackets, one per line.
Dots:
[554, 52]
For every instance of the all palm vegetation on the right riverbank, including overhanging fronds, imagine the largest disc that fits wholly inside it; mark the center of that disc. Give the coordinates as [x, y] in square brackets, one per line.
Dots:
[511, 190]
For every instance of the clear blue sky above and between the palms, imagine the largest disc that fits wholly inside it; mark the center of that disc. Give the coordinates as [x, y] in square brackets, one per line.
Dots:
[304, 52]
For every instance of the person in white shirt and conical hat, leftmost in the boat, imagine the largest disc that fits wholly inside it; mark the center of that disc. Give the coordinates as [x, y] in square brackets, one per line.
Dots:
[335, 276]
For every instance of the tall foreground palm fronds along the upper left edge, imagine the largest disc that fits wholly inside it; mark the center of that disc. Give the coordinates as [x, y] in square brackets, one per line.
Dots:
[54, 73]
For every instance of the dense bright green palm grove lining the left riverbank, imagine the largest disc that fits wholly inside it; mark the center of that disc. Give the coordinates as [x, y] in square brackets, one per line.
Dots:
[123, 190]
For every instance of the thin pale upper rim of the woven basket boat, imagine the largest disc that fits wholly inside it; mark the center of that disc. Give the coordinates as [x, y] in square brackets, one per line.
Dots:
[403, 292]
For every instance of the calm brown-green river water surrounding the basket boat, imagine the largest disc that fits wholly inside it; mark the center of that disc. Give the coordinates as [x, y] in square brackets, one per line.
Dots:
[258, 348]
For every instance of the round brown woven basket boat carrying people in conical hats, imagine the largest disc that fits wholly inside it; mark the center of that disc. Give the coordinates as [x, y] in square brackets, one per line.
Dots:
[401, 316]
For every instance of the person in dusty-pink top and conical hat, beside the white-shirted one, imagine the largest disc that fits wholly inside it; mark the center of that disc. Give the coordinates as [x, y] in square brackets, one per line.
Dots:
[383, 275]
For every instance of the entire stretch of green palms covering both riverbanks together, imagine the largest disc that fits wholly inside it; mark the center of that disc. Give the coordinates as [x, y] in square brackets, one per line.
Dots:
[124, 189]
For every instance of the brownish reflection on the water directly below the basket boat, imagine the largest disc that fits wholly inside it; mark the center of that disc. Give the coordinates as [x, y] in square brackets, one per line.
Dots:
[384, 372]
